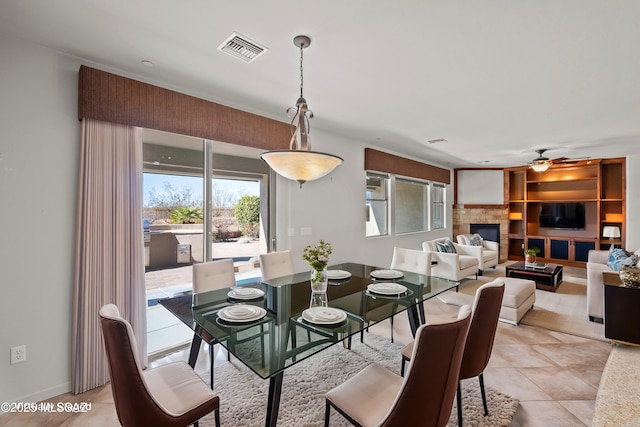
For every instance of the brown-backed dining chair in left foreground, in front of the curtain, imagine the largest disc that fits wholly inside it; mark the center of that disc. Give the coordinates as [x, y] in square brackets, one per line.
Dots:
[169, 395]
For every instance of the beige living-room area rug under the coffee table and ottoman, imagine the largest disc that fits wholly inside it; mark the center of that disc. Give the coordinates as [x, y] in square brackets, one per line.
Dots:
[564, 310]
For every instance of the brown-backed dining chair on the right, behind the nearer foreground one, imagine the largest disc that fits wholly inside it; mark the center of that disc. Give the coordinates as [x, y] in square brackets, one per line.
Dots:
[477, 351]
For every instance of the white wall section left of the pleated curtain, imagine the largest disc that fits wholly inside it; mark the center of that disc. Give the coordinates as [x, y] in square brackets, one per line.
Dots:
[39, 141]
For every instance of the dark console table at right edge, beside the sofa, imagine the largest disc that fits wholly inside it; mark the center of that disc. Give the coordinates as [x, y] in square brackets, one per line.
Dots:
[621, 310]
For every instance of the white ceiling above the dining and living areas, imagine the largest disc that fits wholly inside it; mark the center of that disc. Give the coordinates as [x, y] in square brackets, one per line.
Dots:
[495, 80]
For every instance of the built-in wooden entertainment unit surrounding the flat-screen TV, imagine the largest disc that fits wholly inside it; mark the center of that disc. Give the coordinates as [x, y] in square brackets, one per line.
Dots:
[598, 184]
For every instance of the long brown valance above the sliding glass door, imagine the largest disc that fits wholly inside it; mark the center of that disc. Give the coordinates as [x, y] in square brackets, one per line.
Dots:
[112, 98]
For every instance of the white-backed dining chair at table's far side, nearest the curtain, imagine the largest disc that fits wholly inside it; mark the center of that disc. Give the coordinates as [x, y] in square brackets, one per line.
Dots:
[209, 276]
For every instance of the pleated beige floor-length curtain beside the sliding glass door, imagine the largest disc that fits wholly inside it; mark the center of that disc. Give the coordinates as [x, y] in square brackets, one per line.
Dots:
[109, 262]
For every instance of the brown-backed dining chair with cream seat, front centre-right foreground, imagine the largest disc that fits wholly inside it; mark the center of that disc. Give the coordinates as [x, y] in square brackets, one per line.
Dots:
[378, 397]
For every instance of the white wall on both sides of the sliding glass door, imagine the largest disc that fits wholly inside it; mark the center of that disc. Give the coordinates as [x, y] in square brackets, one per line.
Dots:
[39, 155]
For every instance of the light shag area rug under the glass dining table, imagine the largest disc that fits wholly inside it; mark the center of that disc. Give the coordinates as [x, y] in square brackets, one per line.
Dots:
[243, 395]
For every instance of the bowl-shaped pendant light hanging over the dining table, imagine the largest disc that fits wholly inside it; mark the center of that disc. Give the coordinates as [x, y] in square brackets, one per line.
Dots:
[299, 163]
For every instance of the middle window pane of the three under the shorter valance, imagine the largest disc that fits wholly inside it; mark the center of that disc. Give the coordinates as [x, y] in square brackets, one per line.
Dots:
[411, 206]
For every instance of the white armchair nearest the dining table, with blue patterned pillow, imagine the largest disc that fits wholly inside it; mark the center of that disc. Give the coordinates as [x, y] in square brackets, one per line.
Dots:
[452, 266]
